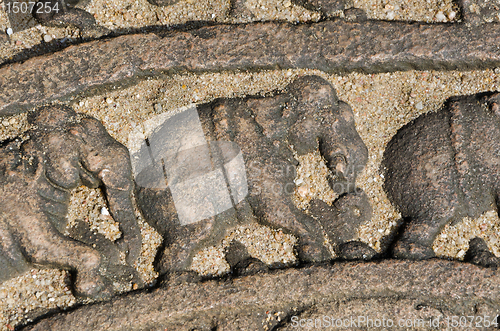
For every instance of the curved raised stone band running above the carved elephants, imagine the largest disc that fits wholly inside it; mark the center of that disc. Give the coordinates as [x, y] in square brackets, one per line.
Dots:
[332, 46]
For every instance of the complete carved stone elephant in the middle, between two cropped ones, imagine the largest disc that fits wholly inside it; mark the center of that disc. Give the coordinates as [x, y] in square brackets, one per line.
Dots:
[308, 116]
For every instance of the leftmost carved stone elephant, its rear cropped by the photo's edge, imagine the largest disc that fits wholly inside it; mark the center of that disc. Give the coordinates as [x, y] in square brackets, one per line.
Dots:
[61, 152]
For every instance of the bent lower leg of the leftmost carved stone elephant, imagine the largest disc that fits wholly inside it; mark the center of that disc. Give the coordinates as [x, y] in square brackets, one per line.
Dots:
[46, 246]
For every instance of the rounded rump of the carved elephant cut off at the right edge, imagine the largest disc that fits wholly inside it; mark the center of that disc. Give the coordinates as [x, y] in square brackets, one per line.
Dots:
[443, 167]
